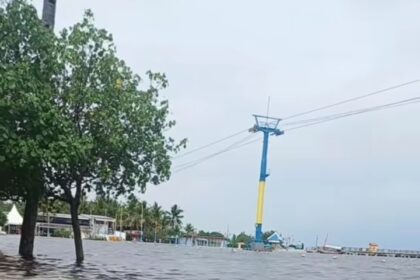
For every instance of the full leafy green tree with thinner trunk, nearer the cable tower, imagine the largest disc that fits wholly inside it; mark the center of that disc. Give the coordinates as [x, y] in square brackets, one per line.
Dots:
[113, 134]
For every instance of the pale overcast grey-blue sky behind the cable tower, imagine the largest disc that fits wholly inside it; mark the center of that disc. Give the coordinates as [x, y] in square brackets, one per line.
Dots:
[356, 179]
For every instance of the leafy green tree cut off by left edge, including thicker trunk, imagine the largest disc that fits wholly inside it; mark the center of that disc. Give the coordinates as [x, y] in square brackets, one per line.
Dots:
[28, 116]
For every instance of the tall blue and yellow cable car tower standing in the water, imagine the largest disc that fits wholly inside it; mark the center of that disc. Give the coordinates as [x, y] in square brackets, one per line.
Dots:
[268, 126]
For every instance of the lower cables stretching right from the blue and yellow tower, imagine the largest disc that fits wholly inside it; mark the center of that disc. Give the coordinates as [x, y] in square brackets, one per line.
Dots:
[316, 121]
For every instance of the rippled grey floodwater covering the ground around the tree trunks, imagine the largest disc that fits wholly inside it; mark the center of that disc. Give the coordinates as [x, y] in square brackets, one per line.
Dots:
[130, 260]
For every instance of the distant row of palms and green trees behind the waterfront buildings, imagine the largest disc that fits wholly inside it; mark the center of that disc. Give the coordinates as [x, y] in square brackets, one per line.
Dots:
[157, 224]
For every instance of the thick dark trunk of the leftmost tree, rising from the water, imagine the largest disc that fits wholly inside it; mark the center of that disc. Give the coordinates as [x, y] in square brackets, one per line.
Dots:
[26, 246]
